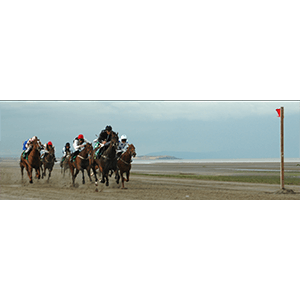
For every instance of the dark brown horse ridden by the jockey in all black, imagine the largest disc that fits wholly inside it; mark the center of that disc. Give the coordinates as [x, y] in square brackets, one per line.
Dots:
[107, 161]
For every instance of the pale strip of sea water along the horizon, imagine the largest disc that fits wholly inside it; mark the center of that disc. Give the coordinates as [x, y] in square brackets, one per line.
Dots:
[201, 161]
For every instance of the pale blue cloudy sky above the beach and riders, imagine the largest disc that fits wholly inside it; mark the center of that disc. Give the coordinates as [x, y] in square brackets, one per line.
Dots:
[185, 129]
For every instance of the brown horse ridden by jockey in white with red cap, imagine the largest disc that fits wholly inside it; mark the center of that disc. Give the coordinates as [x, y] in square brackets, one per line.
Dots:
[81, 163]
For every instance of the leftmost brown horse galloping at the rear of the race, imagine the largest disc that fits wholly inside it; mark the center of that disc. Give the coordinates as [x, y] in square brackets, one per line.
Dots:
[33, 161]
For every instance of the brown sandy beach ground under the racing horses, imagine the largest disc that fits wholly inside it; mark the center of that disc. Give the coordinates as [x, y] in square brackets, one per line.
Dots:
[146, 187]
